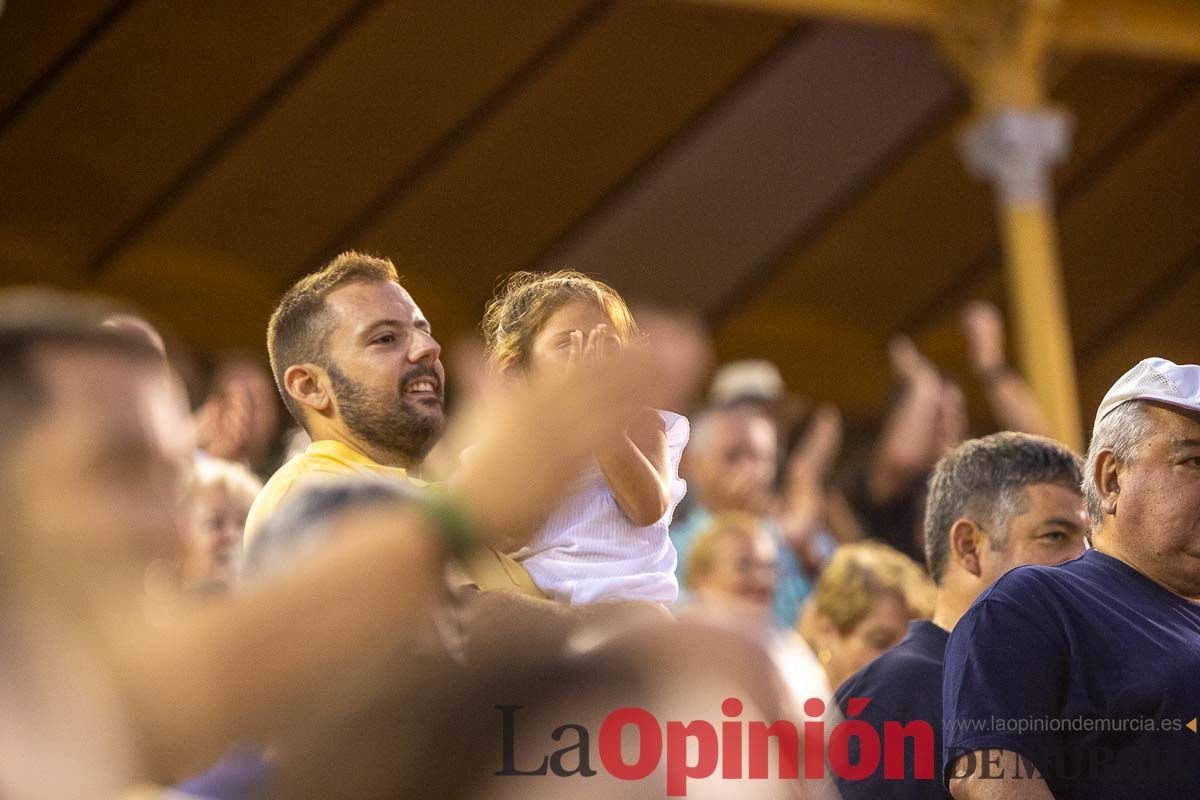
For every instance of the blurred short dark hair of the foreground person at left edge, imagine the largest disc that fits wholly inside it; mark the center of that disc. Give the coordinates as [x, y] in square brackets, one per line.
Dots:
[32, 318]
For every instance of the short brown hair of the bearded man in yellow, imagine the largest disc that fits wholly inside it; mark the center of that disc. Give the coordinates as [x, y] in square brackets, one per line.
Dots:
[301, 324]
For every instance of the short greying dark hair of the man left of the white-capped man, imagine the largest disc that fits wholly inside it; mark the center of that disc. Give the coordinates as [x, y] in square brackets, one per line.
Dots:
[985, 480]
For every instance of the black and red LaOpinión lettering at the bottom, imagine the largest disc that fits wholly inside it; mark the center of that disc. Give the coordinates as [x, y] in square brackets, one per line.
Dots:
[676, 741]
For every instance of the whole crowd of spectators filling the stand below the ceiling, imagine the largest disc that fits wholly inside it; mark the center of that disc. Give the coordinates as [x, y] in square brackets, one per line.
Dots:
[199, 600]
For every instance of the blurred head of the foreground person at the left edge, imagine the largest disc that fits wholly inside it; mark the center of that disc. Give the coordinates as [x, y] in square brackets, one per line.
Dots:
[94, 440]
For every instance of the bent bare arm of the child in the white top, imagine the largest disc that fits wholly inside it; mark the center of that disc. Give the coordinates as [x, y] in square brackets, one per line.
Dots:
[639, 471]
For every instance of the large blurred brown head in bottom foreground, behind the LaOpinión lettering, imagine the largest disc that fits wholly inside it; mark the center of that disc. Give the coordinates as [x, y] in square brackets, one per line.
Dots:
[455, 737]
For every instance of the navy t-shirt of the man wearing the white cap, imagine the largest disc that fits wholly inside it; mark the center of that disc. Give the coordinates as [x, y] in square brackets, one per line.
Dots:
[1089, 670]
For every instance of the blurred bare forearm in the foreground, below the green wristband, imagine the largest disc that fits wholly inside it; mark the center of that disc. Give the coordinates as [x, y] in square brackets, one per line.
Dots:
[244, 671]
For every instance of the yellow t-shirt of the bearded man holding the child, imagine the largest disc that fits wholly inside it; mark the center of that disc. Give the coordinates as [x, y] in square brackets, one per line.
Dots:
[489, 569]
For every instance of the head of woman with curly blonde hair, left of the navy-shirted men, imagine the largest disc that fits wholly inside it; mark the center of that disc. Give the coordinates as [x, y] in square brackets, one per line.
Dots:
[862, 606]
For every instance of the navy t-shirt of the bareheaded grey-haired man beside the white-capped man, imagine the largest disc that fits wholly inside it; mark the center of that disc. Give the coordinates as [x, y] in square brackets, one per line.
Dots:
[904, 684]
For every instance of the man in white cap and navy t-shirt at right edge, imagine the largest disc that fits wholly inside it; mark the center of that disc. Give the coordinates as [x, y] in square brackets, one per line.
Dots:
[1083, 681]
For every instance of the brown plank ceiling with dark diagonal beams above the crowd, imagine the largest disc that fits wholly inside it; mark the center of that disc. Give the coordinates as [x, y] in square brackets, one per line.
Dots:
[795, 181]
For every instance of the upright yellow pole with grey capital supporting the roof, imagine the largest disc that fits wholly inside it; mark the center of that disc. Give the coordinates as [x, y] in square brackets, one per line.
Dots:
[1016, 142]
